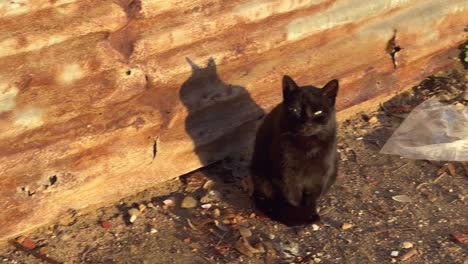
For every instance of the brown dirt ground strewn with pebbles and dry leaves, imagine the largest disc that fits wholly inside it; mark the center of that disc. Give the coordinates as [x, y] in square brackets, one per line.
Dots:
[383, 209]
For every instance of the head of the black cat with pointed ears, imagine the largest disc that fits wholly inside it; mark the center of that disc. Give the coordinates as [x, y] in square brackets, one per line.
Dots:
[309, 110]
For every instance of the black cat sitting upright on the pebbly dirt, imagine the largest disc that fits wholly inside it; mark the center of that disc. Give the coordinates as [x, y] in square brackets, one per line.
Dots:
[295, 157]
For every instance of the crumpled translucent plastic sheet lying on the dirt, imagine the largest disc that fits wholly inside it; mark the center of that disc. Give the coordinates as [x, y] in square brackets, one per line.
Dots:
[432, 131]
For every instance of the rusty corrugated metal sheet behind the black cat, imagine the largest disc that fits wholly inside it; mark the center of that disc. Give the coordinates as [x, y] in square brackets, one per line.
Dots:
[112, 97]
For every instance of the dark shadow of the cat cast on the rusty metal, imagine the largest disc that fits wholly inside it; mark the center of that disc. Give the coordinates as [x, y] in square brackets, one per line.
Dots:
[221, 121]
